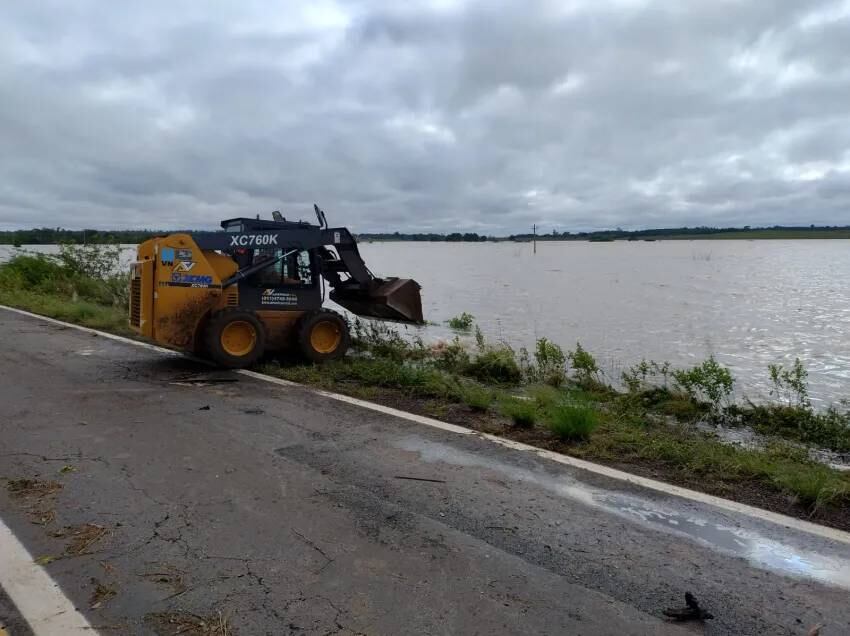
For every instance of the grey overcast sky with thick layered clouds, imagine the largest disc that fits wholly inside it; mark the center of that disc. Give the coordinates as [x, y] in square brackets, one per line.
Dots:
[431, 116]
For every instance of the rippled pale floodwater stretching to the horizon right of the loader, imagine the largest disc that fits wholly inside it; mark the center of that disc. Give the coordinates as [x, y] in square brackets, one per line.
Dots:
[750, 303]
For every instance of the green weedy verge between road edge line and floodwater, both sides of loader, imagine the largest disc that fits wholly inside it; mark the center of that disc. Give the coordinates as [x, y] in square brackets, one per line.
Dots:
[549, 397]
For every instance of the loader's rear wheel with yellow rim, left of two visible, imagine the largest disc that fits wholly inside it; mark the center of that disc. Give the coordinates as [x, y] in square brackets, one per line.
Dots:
[238, 322]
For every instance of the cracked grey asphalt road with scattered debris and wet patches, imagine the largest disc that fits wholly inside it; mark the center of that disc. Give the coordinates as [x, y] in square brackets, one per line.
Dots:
[281, 512]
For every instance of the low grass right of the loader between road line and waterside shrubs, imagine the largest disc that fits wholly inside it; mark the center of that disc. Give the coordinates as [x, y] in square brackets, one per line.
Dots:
[619, 431]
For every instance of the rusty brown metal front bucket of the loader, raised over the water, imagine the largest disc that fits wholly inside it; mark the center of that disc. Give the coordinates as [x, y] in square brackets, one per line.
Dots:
[387, 299]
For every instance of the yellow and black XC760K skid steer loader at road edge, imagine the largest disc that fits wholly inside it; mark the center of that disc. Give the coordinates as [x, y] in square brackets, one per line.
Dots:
[258, 286]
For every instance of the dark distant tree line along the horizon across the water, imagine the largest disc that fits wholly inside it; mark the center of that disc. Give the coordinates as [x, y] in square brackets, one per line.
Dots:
[48, 236]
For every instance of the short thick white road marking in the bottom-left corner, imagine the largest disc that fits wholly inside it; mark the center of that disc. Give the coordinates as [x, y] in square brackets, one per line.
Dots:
[35, 595]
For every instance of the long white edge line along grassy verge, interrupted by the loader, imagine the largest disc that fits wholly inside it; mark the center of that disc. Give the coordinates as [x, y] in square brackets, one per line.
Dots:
[598, 469]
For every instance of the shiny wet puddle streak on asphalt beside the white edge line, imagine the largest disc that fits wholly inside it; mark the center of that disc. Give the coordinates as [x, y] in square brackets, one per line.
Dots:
[710, 530]
